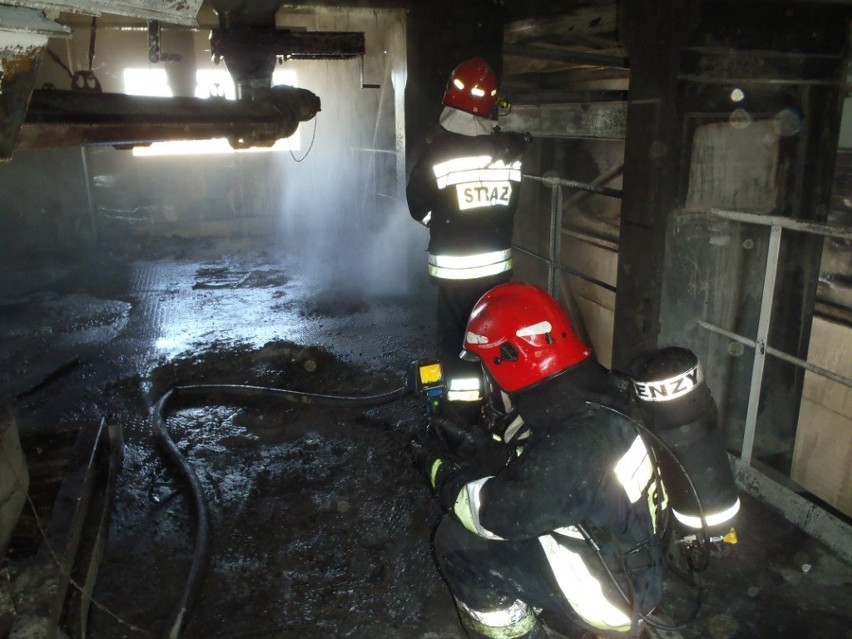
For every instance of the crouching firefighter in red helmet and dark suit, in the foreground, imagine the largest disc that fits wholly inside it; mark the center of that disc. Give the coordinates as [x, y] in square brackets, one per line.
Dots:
[569, 525]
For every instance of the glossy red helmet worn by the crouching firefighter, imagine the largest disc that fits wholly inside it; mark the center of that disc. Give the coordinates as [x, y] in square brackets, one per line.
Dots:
[522, 336]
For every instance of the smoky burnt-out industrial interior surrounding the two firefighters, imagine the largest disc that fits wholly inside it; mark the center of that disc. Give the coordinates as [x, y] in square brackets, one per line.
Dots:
[212, 291]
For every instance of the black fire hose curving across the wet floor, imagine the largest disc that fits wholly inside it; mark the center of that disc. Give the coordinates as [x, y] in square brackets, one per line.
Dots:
[202, 524]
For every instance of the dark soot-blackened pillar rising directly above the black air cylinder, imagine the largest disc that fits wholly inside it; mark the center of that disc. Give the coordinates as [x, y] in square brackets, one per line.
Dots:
[653, 32]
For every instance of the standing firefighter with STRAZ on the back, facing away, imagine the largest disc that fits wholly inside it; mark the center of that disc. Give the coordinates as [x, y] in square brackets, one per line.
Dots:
[464, 187]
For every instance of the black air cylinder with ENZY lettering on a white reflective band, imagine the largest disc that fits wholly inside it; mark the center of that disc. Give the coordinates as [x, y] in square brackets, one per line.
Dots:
[676, 405]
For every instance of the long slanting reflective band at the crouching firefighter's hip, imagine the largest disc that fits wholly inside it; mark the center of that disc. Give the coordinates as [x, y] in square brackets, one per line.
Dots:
[581, 588]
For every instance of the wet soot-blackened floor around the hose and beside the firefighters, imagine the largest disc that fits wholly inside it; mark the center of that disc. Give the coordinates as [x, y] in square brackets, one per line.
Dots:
[319, 524]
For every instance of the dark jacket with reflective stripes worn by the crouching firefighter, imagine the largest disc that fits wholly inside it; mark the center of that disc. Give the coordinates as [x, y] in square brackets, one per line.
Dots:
[586, 464]
